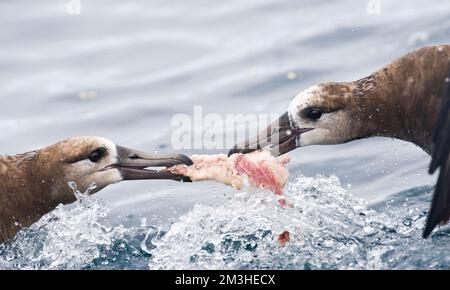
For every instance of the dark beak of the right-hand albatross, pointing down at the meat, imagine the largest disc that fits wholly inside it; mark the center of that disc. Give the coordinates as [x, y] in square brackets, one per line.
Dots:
[281, 136]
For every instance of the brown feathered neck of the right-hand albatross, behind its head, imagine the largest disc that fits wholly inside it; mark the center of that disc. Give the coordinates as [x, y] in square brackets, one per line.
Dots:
[401, 100]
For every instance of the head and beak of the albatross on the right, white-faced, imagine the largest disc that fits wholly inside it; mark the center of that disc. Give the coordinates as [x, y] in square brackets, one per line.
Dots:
[322, 114]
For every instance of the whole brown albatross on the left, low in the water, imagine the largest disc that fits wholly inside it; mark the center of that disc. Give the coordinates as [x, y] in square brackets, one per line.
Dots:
[34, 183]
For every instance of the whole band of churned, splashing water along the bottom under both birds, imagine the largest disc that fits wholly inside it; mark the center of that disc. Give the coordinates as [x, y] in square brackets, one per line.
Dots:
[328, 229]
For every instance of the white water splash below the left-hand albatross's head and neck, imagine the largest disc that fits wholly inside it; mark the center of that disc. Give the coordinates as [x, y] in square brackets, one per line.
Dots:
[69, 237]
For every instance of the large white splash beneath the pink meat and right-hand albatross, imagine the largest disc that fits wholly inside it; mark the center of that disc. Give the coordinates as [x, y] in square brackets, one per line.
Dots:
[329, 230]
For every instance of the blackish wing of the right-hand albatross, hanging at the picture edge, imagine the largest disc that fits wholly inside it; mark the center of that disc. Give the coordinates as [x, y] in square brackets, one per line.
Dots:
[440, 206]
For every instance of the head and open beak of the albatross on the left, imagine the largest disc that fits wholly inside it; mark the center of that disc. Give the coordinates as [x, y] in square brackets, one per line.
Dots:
[87, 160]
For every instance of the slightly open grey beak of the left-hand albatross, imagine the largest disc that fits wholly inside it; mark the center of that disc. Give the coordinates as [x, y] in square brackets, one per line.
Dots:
[132, 165]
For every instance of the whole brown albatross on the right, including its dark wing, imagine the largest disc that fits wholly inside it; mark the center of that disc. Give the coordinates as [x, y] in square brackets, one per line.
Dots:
[409, 99]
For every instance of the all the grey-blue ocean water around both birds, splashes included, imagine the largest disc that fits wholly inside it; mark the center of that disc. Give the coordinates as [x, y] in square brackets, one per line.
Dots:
[123, 70]
